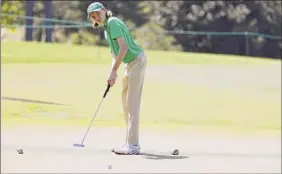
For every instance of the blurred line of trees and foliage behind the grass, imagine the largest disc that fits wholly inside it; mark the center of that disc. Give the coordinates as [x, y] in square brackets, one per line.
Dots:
[149, 20]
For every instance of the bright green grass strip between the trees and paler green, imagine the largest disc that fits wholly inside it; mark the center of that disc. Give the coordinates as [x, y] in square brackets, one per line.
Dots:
[22, 52]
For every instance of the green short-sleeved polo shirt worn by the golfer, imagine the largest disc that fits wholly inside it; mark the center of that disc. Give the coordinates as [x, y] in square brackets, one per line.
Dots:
[114, 29]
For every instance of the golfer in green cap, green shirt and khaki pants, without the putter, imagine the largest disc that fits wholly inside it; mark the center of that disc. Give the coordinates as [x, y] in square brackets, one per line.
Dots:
[124, 49]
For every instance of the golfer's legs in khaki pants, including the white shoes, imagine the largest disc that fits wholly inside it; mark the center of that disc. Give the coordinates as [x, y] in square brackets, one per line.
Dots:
[135, 72]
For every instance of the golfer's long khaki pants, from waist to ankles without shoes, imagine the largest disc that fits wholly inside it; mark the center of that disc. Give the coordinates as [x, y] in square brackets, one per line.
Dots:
[132, 85]
